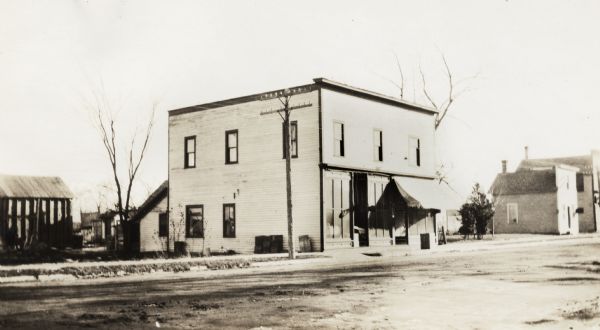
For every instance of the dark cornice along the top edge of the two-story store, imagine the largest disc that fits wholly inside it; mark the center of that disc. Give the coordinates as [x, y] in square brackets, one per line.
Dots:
[318, 82]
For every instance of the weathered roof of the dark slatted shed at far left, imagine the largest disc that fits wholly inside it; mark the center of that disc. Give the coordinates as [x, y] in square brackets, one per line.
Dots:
[19, 186]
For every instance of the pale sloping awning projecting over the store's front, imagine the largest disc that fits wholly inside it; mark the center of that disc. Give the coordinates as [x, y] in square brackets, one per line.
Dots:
[427, 194]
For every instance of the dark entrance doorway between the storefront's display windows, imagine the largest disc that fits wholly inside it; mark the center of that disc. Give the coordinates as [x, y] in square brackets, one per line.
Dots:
[361, 208]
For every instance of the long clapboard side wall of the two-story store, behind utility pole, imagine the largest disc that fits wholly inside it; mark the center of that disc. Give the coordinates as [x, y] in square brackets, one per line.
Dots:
[257, 183]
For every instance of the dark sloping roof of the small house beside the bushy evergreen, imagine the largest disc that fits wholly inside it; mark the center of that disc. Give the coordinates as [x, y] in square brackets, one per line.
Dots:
[524, 182]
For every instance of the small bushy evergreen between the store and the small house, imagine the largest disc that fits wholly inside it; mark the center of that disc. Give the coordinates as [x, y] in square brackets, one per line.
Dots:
[476, 213]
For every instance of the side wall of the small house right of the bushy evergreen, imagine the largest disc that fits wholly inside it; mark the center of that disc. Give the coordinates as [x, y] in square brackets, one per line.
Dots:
[537, 214]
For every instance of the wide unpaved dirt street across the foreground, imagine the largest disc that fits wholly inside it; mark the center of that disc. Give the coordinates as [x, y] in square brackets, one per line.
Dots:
[550, 285]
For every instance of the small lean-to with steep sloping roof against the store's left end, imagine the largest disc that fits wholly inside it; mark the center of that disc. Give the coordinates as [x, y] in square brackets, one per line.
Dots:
[150, 223]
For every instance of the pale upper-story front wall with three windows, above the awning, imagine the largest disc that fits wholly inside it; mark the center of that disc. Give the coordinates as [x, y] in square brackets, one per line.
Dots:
[360, 117]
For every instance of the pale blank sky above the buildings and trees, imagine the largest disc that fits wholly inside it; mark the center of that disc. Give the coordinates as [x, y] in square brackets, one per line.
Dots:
[529, 74]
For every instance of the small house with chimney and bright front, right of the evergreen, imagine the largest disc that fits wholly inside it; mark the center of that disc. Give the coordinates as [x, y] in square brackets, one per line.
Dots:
[541, 201]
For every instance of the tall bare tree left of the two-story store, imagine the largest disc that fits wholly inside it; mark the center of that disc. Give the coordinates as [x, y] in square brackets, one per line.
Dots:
[105, 123]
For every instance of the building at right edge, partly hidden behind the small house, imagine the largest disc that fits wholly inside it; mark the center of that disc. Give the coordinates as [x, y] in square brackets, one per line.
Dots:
[588, 181]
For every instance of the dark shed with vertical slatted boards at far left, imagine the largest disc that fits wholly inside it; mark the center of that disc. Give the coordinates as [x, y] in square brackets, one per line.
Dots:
[34, 208]
